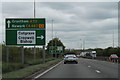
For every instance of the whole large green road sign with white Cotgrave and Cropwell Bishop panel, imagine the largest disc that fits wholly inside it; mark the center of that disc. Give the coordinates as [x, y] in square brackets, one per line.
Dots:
[25, 31]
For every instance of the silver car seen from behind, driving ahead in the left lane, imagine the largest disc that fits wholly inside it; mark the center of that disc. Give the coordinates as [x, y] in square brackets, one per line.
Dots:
[70, 58]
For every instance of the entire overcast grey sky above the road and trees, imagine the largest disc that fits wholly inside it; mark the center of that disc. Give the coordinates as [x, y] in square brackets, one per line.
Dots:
[74, 22]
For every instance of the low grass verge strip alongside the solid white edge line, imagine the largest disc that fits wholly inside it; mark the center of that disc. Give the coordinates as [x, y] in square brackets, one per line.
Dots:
[29, 70]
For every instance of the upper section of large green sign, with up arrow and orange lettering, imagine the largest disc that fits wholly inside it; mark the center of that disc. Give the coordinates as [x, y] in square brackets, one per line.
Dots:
[29, 23]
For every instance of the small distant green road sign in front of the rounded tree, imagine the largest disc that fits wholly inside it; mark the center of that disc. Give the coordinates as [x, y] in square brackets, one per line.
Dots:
[56, 49]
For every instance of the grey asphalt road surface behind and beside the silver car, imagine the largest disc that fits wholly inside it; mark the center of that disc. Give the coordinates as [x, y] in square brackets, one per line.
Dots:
[86, 68]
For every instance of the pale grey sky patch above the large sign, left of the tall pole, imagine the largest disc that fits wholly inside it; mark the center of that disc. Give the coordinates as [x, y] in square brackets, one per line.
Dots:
[17, 9]
